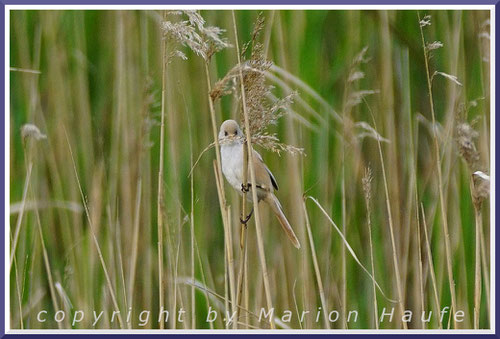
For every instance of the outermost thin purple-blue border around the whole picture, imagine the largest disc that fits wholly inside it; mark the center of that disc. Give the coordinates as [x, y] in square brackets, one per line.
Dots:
[213, 2]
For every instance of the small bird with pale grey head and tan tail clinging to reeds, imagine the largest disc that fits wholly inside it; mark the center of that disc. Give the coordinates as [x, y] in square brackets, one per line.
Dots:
[231, 138]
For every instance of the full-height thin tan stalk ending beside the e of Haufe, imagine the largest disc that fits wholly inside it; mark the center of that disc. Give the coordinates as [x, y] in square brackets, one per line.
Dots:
[444, 218]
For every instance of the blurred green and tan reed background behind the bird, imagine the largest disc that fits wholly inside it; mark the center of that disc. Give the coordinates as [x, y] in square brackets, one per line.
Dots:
[97, 90]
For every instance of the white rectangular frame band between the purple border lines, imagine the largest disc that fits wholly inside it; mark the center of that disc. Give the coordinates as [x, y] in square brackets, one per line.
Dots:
[491, 8]
